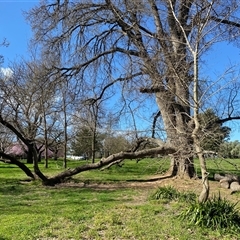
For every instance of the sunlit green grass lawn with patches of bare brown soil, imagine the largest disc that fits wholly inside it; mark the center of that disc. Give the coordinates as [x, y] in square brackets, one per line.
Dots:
[109, 204]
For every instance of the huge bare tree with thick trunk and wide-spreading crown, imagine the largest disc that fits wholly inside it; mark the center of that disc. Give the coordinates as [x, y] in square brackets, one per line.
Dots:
[144, 44]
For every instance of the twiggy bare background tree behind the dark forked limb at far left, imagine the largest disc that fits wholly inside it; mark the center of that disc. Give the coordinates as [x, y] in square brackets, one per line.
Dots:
[20, 103]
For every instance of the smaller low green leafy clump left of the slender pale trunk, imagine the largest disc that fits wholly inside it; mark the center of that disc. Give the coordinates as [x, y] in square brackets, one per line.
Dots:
[170, 193]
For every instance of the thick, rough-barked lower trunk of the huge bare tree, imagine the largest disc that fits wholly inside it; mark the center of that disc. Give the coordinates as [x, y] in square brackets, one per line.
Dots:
[178, 132]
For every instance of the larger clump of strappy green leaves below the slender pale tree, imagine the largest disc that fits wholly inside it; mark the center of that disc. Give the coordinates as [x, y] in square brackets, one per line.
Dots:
[216, 213]
